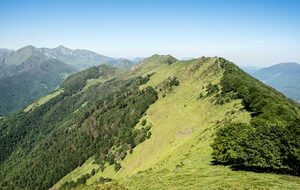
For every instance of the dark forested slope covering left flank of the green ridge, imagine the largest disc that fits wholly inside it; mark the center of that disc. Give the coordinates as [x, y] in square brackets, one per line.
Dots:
[41, 145]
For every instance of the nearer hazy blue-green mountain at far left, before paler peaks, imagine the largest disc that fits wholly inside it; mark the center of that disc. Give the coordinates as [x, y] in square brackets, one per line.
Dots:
[27, 74]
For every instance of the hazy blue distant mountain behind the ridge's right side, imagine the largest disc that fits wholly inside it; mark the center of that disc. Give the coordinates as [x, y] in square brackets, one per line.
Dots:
[285, 77]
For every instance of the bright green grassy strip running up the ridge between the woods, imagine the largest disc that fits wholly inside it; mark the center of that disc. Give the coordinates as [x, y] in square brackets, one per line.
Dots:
[178, 154]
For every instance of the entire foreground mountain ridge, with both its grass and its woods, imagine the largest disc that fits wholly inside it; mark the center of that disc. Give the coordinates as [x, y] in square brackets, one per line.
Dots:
[165, 124]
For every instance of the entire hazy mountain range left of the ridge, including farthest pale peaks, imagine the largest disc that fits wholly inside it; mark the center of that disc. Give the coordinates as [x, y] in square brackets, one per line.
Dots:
[29, 73]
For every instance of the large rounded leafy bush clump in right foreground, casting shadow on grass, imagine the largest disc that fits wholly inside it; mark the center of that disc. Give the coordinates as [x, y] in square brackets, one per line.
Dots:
[267, 148]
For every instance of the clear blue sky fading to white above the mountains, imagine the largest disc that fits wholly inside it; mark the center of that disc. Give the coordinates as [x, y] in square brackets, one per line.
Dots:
[248, 32]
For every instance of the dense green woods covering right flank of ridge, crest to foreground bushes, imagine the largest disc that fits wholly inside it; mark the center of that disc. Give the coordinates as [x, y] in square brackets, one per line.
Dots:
[271, 142]
